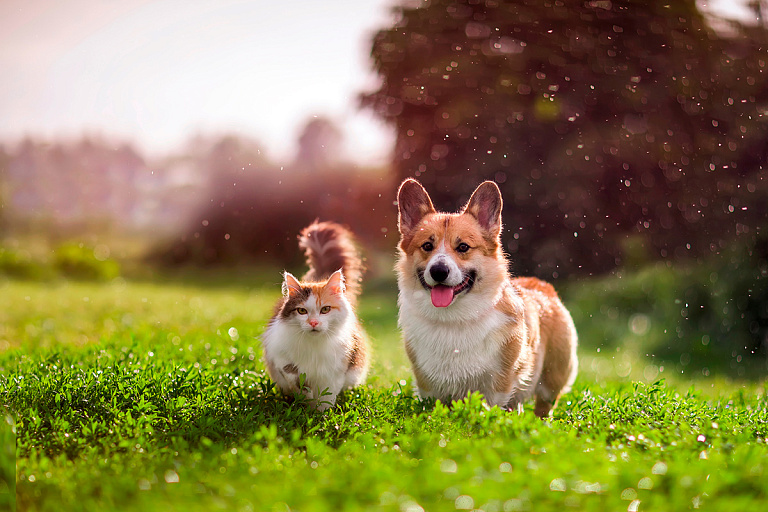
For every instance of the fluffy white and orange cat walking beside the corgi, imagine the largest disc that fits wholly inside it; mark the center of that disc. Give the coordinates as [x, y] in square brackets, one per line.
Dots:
[314, 344]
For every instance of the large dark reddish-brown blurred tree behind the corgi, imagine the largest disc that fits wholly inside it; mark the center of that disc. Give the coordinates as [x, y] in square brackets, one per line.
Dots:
[617, 130]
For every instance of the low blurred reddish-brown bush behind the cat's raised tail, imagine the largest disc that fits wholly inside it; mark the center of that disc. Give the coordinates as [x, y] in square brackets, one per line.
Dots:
[256, 216]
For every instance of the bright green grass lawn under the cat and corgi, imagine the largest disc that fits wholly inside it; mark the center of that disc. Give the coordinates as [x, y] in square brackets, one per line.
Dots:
[151, 396]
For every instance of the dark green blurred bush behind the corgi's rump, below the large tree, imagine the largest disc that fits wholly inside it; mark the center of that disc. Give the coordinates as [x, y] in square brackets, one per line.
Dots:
[712, 313]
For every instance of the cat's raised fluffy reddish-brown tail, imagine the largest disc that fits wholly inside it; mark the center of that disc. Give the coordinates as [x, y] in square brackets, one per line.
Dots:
[329, 247]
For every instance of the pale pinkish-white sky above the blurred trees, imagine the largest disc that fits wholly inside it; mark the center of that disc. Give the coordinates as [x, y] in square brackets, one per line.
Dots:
[157, 72]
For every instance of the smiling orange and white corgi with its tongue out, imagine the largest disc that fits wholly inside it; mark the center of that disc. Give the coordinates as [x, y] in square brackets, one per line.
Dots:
[467, 324]
